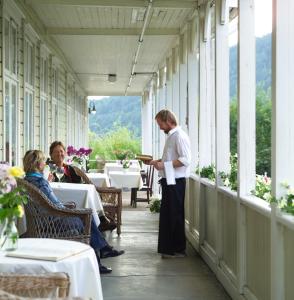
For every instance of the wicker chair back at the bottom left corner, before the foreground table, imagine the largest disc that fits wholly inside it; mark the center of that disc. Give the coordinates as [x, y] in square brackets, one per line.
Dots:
[53, 285]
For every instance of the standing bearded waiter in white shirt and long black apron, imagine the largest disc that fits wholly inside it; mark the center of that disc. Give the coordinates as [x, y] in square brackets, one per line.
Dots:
[173, 169]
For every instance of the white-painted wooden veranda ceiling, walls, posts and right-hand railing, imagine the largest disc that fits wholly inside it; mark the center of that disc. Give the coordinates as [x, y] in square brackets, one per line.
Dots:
[175, 54]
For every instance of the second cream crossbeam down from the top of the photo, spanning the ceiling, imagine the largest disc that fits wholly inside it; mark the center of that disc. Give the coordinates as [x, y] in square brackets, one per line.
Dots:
[110, 31]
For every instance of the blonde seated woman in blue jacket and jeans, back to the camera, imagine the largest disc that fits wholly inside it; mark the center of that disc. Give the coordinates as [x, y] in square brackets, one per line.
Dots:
[34, 164]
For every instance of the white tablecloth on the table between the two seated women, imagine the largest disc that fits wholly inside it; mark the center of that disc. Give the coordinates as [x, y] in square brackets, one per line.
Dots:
[84, 195]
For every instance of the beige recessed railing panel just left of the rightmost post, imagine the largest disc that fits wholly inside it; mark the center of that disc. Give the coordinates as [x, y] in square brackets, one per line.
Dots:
[258, 264]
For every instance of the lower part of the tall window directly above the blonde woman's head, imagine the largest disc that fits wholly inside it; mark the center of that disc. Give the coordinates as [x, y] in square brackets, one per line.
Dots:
[28, 121]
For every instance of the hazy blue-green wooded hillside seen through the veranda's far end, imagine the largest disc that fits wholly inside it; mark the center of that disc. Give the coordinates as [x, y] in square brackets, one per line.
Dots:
[116, 111]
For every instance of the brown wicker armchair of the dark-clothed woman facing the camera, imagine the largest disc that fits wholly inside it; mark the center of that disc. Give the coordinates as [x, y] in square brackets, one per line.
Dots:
[111, 200]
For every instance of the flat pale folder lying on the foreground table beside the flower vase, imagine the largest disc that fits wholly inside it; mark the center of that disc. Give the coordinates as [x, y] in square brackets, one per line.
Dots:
[41, 253]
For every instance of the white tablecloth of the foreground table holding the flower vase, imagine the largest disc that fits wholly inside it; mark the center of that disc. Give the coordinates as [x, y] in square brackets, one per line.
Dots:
[81, 267]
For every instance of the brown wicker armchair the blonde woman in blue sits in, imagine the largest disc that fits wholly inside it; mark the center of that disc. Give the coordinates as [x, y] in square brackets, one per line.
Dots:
[45, 220]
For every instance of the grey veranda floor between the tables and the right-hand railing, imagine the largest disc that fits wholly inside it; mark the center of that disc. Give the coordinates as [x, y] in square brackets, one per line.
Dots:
[141, 274]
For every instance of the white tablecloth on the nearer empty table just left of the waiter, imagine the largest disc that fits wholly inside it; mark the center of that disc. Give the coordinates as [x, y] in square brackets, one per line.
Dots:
[121, 179]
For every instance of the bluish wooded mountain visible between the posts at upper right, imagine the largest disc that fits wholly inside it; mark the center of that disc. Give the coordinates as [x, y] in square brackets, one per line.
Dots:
[263, 64]
